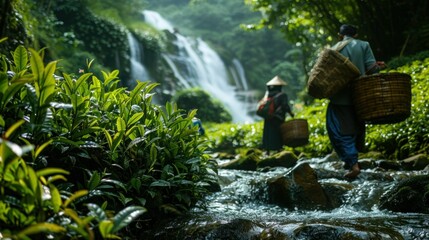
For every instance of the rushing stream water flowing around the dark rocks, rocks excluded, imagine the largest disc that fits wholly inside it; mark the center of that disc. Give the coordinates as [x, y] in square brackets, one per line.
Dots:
[241, 210]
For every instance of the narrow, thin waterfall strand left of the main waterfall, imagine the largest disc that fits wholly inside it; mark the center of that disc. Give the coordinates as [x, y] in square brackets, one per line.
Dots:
[138, 70]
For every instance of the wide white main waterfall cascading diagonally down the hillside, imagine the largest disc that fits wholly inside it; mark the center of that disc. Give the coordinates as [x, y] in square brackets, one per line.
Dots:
[197, 64]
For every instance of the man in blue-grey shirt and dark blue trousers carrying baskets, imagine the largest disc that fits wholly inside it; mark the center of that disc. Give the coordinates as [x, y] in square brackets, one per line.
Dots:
[346, 132]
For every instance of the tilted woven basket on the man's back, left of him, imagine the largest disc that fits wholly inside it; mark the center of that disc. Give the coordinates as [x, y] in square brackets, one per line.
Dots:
[331, 72]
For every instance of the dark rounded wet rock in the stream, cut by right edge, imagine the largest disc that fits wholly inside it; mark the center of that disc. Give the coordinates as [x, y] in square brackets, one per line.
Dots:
[410, 195]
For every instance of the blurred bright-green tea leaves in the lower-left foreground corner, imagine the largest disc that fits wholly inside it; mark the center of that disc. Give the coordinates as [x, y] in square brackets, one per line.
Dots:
[33, 207]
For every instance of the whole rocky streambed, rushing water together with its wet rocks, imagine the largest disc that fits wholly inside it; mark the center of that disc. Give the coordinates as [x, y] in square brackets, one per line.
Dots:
[286, 197]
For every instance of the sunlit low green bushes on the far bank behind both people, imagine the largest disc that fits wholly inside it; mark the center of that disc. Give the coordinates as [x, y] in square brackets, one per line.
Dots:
[395, 141]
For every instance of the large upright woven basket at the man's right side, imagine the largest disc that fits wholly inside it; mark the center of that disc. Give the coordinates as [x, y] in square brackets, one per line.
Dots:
[383, 98]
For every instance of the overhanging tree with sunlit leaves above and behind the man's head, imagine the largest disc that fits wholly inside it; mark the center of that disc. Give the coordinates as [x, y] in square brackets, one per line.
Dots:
[393, 27]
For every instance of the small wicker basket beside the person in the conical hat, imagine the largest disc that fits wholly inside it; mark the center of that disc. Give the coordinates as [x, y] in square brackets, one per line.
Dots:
[295, 132]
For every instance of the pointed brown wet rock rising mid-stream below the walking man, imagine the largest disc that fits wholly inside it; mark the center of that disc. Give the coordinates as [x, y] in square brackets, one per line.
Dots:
[298, 189]
